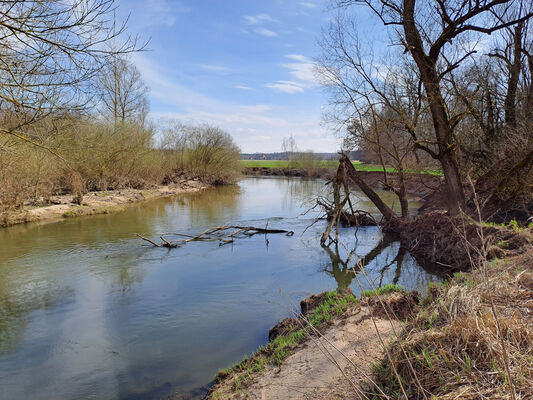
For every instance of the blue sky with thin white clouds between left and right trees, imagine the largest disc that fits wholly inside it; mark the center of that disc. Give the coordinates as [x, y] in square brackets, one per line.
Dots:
[243, 65]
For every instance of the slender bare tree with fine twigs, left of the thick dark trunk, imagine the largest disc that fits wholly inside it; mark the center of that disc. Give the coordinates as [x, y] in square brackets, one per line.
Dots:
[377, 104]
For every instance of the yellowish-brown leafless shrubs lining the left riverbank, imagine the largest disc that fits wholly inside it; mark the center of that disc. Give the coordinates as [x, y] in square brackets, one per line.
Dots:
[93, 155]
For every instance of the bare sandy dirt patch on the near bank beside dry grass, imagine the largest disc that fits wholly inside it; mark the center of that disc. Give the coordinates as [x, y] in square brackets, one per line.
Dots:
[328, 367]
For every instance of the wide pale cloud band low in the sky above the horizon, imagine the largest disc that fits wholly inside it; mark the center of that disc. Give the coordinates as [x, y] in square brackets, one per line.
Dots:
[254, 127]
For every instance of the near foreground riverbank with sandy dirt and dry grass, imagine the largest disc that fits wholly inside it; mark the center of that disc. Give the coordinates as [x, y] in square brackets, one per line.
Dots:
[471, 338]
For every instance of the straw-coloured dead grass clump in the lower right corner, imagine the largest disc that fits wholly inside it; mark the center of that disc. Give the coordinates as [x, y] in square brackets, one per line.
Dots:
[456, 346]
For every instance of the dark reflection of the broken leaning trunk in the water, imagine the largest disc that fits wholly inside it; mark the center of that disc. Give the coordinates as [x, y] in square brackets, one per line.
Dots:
[343, 274]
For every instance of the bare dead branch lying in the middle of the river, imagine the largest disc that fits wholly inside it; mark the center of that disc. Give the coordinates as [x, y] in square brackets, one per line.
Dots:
[223, 234]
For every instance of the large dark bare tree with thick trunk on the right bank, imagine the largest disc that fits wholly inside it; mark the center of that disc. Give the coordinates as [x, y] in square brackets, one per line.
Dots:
[429, 31]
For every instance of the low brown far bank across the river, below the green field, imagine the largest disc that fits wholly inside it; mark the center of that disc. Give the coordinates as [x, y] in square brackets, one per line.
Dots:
[419, 185]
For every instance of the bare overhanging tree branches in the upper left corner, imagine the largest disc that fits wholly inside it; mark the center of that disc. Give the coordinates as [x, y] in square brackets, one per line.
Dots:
[50, 51]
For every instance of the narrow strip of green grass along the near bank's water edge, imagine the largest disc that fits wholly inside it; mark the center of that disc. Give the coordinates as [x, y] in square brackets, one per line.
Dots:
[283, 346]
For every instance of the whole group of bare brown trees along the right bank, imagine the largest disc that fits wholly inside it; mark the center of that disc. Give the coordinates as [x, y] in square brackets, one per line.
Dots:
[452, 89]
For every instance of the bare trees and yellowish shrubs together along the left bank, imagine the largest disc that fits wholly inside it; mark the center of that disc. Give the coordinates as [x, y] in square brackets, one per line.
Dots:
[74, 107]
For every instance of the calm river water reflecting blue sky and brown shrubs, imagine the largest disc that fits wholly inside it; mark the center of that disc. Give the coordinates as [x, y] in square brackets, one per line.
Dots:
[89, 311]
